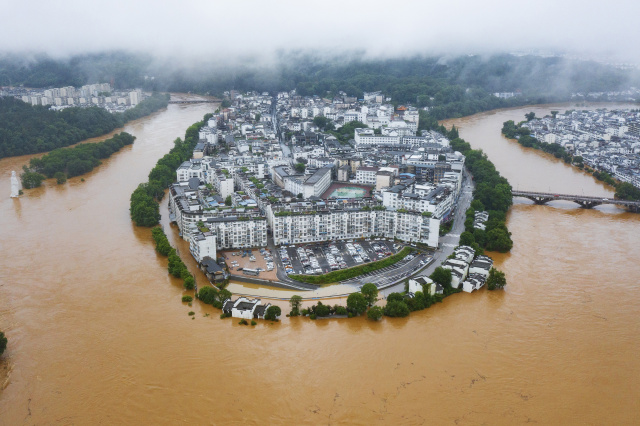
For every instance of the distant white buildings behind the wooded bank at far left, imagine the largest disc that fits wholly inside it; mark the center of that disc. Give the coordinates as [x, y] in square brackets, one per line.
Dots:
[100, 95]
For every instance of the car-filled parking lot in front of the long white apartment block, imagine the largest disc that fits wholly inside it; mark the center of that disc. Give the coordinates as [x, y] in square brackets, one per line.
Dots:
[321, 258]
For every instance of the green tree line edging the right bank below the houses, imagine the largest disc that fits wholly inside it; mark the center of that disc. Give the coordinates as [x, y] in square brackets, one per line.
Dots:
[522, 135]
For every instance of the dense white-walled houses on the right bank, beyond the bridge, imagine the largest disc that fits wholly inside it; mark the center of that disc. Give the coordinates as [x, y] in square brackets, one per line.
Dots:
[607, 140]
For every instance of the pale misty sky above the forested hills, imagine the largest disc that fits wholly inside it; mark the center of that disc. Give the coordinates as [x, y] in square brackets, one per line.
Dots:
[228, 30]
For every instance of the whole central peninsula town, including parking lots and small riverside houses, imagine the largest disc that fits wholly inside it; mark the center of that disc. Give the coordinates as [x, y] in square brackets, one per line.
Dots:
[285, 190]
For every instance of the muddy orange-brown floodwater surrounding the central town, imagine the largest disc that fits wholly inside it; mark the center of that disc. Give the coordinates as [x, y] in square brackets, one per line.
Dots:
[98, 334]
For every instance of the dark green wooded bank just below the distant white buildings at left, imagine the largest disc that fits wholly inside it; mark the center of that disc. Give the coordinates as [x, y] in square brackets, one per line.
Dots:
[27, 129]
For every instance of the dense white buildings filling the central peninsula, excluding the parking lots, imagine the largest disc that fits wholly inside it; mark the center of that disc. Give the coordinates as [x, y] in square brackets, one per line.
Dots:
[245, 185]
